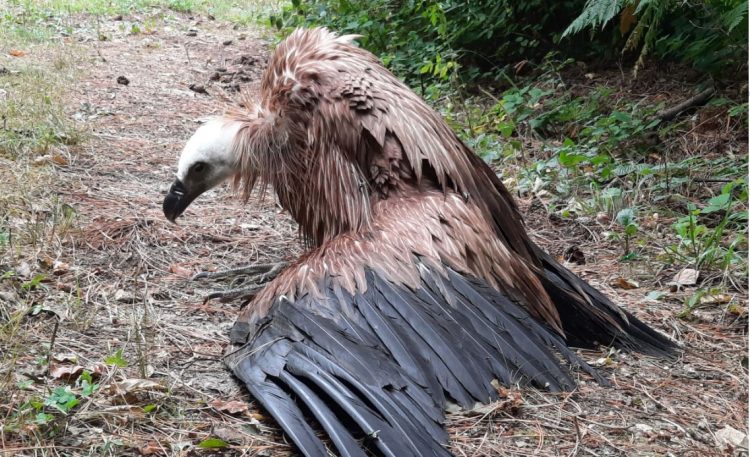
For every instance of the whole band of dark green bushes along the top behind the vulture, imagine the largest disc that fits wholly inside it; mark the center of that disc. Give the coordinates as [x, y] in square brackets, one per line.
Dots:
[430, 40]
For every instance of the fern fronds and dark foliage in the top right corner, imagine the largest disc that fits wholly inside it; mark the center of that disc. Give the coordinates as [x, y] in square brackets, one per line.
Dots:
[710, 34]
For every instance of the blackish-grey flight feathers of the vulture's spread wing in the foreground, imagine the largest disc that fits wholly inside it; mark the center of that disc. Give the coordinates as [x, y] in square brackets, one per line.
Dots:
[374, 368]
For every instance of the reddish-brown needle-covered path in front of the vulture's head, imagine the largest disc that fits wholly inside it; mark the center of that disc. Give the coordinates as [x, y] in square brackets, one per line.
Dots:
[131, 264]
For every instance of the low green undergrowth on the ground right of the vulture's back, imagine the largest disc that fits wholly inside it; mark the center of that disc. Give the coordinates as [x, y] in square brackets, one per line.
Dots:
[600, 155]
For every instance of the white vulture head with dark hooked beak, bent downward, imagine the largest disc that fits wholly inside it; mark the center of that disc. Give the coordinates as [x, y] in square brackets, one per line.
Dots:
[207, 160]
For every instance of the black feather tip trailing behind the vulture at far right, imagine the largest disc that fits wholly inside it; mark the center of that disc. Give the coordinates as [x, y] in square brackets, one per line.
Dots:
[589, 318]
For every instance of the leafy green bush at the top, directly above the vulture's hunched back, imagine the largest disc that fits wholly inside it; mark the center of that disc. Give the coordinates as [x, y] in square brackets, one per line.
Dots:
[434, 39]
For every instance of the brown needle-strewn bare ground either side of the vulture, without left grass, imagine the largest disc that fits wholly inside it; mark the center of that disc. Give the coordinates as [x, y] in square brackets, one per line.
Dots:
[122, 283]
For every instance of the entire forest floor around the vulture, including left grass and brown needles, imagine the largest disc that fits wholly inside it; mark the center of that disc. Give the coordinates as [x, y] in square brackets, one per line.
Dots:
[106, 347]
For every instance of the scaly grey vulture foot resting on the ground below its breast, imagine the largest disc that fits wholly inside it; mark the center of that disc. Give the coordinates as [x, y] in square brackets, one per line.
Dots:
[246, 281]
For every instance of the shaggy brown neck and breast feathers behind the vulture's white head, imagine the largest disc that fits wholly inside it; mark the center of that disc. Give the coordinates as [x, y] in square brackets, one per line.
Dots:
[325, 193]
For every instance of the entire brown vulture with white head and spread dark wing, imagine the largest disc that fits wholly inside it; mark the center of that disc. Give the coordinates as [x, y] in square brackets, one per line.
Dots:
[421, 285]
